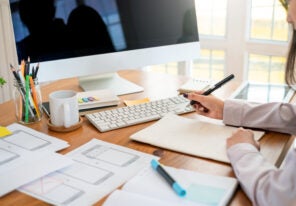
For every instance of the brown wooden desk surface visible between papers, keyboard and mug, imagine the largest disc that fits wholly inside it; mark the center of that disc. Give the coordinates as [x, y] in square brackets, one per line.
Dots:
[273, 145]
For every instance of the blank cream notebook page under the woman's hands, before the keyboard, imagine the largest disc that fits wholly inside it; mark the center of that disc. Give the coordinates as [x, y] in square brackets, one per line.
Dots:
[190, 136]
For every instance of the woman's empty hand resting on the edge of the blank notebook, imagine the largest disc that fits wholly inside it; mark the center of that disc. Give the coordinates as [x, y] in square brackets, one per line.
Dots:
[242, 136]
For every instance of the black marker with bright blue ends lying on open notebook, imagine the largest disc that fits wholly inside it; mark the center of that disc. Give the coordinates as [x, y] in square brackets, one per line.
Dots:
[176, 187]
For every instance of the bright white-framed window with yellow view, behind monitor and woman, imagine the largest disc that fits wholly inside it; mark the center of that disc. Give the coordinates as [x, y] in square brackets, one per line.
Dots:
[244, 37]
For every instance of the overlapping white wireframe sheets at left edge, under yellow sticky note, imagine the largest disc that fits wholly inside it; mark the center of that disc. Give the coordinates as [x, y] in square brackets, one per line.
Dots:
[26, 155]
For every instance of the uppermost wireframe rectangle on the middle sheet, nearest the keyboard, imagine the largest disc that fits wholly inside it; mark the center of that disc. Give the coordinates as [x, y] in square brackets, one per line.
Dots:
[110, 155]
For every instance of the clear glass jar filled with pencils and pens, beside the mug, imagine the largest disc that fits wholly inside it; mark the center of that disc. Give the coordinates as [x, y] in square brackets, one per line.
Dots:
[28, 100]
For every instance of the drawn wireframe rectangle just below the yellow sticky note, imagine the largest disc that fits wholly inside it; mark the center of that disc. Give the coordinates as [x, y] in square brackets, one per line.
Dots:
[26, 140]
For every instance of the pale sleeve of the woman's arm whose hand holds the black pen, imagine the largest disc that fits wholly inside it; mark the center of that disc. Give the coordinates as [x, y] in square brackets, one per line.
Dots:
[275, 116]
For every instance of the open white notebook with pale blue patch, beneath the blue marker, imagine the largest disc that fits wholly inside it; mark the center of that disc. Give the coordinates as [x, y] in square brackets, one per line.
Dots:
[148, 188]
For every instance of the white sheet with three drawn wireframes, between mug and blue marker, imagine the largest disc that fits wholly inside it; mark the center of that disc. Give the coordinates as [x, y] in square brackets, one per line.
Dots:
[99, 168]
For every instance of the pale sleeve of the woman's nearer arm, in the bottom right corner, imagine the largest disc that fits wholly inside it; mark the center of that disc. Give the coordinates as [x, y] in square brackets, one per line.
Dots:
[263, 183]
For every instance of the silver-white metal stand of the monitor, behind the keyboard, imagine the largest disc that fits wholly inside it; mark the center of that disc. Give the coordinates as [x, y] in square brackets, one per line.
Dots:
[112, 81]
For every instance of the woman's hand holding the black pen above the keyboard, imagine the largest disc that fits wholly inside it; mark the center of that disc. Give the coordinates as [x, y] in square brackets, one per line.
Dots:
[209, 106]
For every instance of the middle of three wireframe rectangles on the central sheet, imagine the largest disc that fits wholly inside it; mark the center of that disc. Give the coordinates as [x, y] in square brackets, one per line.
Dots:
[87, 173]
